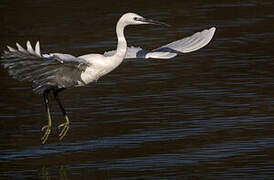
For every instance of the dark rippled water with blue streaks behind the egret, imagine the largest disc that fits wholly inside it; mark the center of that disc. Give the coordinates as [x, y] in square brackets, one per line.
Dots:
[205, 115]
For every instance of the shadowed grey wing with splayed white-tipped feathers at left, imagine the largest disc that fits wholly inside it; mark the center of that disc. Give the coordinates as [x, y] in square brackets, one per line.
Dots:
[45, 71]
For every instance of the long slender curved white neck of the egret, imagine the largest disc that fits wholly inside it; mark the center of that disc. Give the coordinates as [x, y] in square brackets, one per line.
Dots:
[122, 43]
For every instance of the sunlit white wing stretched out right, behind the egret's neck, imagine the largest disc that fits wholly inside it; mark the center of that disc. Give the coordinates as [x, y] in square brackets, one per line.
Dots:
[185, 45]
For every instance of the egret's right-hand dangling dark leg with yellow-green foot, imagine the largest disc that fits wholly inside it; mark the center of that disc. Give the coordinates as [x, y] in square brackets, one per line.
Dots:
[65, 125]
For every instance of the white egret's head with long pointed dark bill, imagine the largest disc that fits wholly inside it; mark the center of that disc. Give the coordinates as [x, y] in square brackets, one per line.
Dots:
[135, 19]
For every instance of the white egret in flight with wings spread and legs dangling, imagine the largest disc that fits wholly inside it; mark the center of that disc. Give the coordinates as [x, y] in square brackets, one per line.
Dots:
[56, 71]
